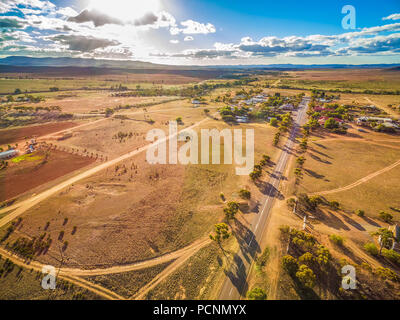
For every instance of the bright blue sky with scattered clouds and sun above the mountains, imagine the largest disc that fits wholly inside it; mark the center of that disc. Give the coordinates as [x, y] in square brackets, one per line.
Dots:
[204, 32]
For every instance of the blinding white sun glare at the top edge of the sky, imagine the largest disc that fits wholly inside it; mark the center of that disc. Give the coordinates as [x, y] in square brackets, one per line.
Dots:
[125, 10]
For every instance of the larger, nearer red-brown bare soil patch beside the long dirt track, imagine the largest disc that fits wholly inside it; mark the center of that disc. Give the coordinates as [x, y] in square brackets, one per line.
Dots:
[26, 175]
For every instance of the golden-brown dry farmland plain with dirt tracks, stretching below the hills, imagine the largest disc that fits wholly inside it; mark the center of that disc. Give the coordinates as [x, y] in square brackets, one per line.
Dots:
[116, 226]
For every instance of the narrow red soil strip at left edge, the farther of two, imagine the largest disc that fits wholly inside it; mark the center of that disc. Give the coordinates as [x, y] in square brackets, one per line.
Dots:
[18, 134]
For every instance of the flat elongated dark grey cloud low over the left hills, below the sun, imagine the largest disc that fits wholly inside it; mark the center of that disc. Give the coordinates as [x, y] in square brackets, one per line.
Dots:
[82, 43]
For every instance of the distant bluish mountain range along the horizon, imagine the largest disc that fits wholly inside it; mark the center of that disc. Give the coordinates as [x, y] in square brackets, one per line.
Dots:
[22, 61]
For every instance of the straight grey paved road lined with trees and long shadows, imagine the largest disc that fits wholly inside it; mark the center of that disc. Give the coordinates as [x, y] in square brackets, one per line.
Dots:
[235, 284]
